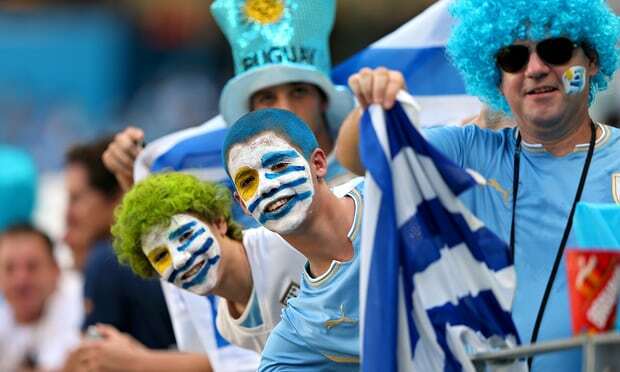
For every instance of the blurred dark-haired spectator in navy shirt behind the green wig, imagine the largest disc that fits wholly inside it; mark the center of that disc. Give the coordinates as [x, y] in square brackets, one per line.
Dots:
[113, 295]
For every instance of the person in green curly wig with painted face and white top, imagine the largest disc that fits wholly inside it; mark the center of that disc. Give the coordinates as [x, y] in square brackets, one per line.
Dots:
[176, 227]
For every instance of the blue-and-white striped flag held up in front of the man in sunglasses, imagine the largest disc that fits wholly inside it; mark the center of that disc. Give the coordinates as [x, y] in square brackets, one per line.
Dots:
[435, 283]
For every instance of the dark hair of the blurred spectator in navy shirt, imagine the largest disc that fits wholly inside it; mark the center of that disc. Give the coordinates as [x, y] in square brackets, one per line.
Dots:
[89, 156]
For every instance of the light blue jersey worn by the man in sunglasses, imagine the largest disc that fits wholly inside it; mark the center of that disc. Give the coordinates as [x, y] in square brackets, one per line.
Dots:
[546, 191]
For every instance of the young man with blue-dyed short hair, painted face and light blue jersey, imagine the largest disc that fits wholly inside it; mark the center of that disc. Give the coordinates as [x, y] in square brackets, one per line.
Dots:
[278, 171]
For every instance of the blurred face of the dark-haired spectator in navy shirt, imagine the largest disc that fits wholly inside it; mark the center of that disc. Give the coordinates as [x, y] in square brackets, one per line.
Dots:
[89, 212]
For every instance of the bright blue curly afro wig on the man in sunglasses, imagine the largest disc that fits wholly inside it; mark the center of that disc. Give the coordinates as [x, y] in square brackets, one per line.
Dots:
[485, 26]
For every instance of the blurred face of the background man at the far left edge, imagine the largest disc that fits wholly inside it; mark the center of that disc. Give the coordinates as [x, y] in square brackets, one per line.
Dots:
[28, 275]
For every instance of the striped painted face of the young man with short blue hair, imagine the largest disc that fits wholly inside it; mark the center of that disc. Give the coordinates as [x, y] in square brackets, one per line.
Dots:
[273, 180]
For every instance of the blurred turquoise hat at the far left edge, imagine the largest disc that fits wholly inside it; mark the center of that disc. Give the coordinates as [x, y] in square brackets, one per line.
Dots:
[18, 185]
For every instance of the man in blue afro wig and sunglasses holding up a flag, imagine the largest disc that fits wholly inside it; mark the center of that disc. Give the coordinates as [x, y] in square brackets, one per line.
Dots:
[542, 63]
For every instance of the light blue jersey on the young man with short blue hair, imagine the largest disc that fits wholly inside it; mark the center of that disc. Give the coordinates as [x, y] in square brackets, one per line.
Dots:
[319, 330]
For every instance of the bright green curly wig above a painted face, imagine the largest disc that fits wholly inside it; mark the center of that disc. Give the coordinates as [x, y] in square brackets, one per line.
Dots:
[153, 201]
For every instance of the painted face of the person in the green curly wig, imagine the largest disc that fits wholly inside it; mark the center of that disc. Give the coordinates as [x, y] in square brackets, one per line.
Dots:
[185, 253]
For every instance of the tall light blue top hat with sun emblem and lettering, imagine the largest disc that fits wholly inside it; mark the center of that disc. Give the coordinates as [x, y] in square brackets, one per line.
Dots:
[276, 42]
